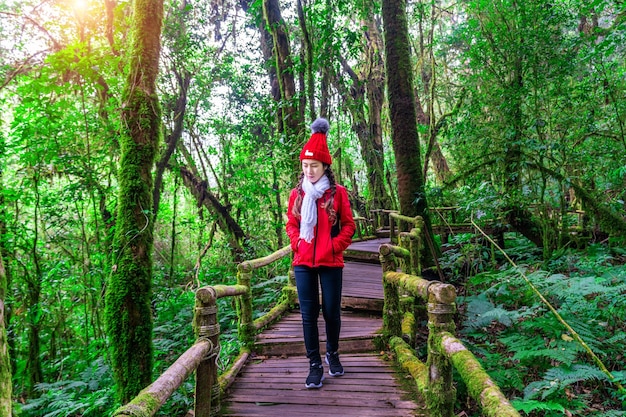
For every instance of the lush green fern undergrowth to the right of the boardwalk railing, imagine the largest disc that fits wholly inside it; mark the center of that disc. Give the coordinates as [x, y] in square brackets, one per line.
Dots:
[530, 354]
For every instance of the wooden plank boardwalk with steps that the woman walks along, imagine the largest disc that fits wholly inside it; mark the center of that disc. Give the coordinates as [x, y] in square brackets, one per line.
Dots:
[272, 382]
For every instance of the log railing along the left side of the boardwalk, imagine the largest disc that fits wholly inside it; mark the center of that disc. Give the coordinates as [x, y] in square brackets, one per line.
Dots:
[202, 356]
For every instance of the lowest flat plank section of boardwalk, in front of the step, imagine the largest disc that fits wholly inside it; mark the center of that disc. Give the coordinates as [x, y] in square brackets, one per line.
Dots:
[275, 387]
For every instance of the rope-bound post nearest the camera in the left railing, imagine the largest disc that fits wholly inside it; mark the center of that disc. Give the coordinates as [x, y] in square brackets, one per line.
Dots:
[206, 327]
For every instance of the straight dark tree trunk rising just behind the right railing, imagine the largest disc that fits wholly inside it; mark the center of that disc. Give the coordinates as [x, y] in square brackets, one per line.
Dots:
[411, 193]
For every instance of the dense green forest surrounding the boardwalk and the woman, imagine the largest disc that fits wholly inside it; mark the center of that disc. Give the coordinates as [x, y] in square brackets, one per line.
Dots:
[167, 135]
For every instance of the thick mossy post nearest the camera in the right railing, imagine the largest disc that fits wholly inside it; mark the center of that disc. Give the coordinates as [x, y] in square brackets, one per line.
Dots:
[441, 394]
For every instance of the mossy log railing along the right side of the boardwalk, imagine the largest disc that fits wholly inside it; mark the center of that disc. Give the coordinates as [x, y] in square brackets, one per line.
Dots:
[407, 299]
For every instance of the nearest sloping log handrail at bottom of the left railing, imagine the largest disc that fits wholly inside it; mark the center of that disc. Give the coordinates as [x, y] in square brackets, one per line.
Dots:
[149, 400]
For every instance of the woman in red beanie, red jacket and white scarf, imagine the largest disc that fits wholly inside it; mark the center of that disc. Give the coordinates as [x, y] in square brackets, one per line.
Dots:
[320, 228]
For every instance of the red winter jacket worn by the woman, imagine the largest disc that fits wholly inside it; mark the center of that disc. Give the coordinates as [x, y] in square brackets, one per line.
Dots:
[323, 250]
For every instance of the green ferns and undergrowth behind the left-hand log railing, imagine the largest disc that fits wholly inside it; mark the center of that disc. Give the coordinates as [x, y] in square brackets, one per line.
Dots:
[88, 390]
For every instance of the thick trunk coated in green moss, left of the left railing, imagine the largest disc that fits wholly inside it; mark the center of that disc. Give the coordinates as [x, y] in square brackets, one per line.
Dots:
[128, 297]
